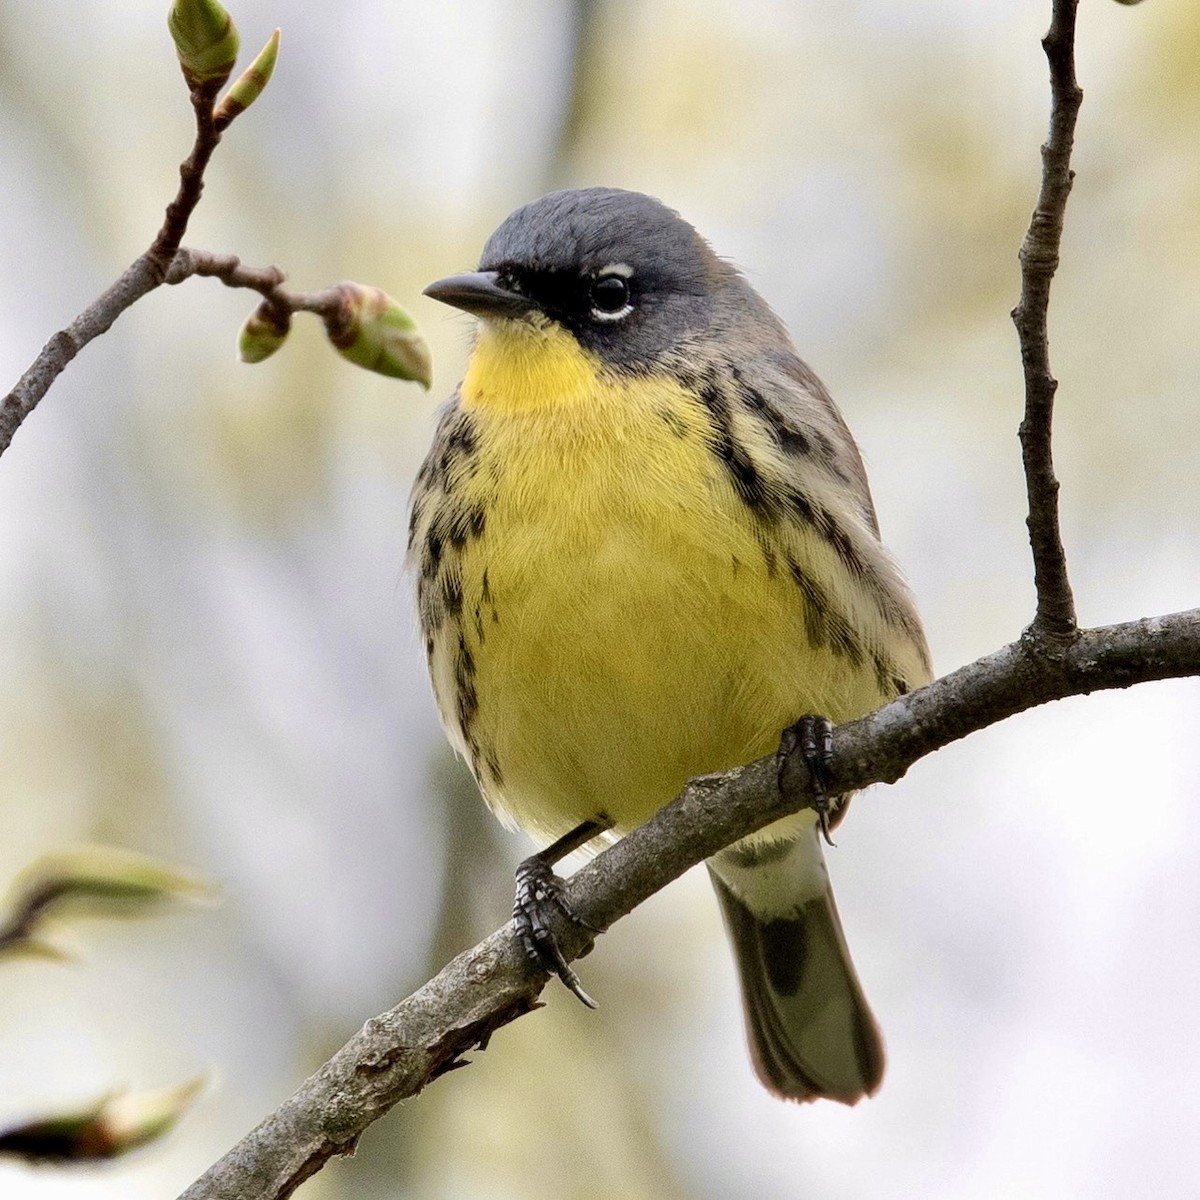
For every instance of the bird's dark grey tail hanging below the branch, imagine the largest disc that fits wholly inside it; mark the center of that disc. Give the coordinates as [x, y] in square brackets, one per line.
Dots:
[812, 1033]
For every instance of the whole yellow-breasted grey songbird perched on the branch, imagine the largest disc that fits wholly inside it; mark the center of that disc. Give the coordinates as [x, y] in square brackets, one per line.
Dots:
[645, 548]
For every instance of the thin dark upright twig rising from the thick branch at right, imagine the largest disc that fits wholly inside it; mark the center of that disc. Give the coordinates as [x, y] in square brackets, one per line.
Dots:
[1055, 617]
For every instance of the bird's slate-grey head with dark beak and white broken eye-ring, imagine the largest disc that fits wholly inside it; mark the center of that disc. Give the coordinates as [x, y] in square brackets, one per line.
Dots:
[628, 277]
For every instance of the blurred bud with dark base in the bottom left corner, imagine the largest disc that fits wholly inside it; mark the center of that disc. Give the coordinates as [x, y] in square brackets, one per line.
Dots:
[111, 1126]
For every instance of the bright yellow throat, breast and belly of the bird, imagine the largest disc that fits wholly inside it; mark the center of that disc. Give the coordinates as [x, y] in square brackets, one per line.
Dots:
[619, 621]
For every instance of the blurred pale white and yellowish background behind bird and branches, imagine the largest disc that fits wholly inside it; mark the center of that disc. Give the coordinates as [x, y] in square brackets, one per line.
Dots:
[207, 629]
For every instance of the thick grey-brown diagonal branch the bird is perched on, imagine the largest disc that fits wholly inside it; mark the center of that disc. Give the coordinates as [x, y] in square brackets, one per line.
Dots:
[398, 1054]
